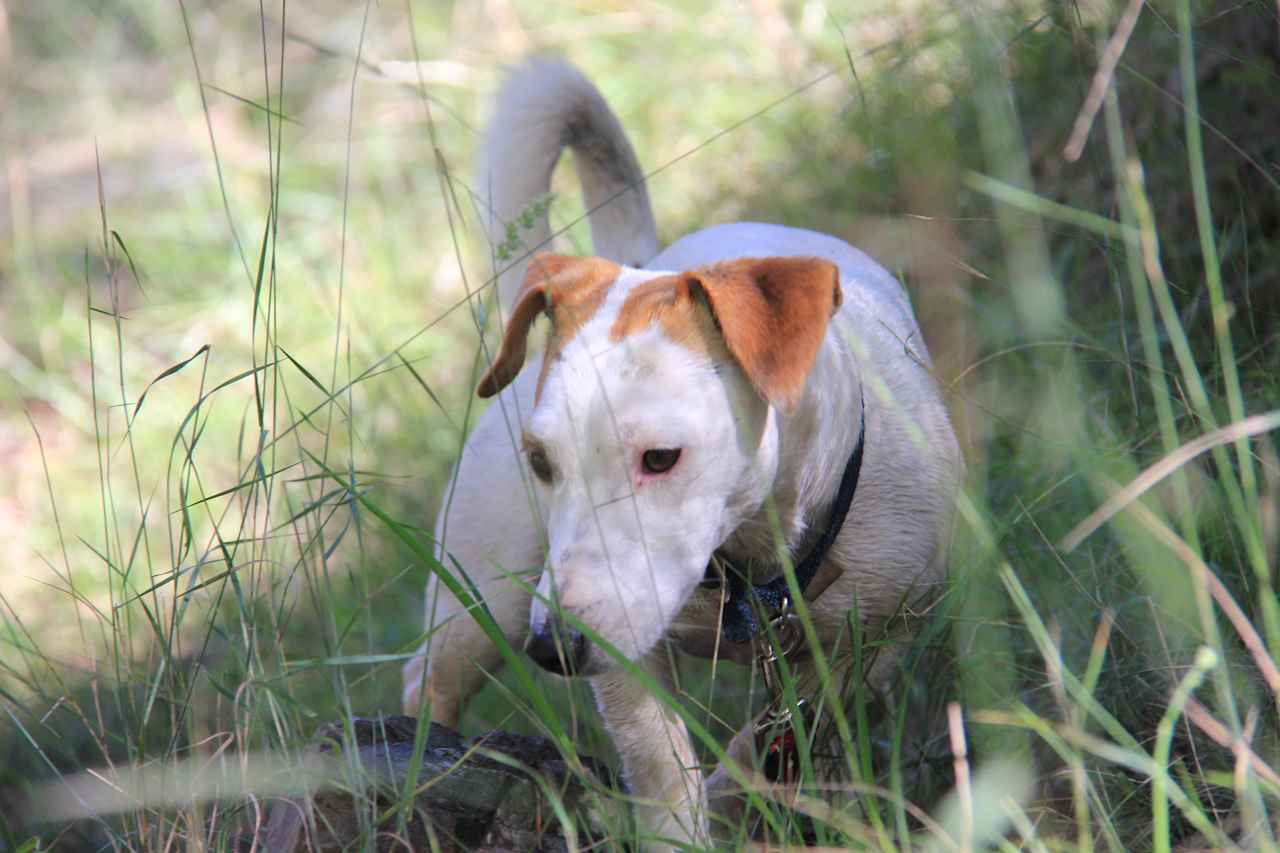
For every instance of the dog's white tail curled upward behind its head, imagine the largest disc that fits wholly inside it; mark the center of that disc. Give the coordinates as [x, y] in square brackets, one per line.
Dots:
[545, 108]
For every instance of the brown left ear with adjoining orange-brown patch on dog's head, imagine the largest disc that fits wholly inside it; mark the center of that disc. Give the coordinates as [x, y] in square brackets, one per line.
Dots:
[570, 290]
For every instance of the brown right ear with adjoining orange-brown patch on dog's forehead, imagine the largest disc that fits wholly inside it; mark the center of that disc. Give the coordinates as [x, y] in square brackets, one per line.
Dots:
[772, 314]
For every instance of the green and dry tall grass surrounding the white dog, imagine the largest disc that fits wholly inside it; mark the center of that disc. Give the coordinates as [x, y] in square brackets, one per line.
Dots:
[239, 357]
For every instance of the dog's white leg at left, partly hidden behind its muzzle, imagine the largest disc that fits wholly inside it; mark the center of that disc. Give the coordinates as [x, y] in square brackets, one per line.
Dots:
[488, 540]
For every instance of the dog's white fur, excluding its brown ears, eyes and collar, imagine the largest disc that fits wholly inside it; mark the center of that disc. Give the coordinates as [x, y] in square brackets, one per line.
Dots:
[625, 551]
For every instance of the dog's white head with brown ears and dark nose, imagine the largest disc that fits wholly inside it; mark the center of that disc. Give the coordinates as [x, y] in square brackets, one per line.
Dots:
[653, 434]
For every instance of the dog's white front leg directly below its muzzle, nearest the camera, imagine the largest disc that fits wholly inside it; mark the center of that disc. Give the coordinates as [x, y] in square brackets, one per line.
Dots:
[659, 760]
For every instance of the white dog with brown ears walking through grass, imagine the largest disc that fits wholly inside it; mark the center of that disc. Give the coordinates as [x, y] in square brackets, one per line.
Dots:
[712, 399]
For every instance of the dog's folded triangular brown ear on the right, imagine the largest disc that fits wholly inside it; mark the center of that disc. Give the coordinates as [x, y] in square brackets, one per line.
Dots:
[774, 314]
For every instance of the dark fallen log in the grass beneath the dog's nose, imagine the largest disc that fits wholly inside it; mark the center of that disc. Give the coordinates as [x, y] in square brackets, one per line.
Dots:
[495, 792]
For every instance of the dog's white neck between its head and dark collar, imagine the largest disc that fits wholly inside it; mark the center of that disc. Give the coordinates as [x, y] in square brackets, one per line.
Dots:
[815, 444]
